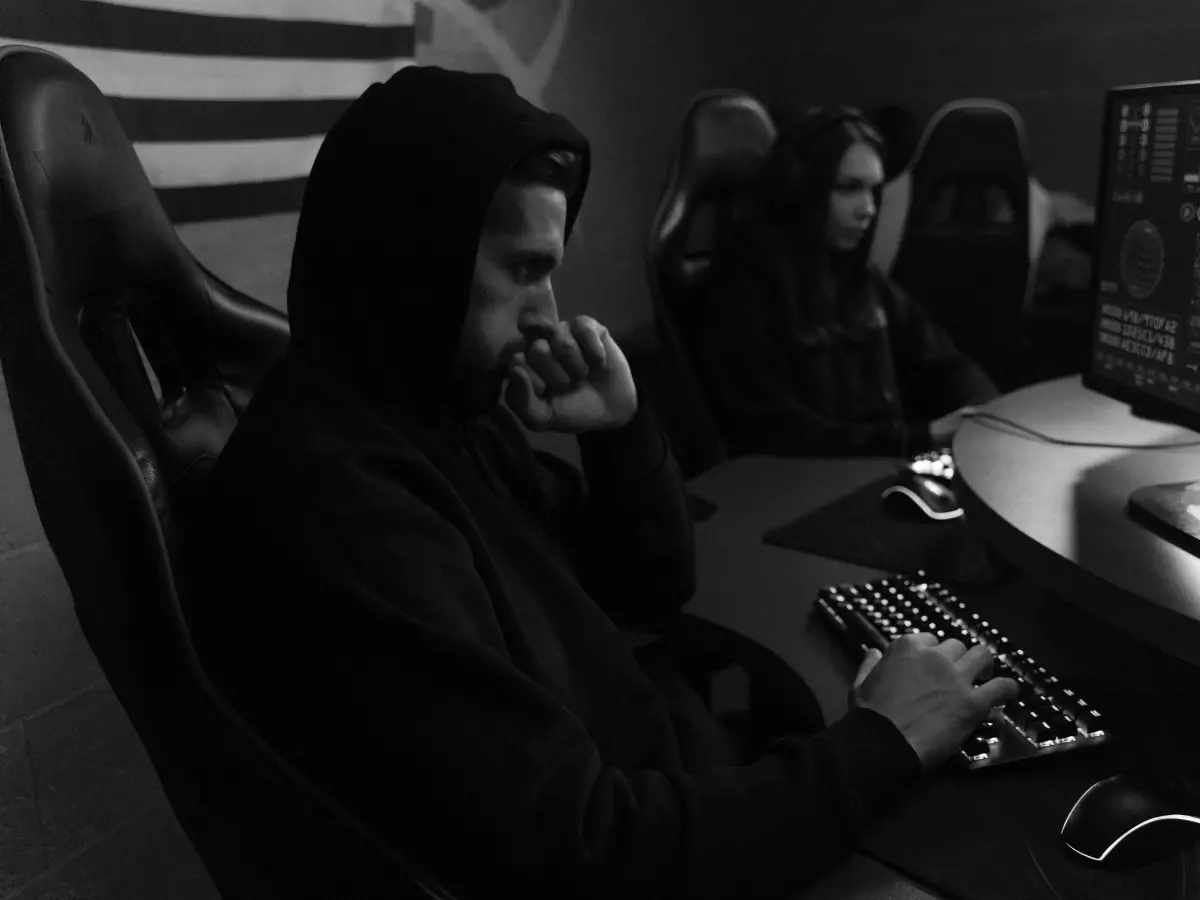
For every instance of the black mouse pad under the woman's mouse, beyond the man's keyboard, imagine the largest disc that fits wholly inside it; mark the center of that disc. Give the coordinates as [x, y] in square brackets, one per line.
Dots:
[857, 529]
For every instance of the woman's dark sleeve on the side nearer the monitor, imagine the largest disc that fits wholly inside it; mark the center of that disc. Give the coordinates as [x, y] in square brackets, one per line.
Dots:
[928, 356]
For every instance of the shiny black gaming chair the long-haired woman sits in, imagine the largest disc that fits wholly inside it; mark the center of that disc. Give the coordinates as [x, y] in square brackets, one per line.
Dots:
[724, 141]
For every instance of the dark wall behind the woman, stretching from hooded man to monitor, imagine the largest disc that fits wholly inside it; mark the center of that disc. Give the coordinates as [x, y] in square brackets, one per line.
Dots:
[629, 69]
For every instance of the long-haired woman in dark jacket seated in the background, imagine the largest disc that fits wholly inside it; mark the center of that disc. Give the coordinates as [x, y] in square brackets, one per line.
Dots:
[805, 347]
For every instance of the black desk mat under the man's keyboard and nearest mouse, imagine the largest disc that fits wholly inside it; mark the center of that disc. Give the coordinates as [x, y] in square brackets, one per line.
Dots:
[994, 835]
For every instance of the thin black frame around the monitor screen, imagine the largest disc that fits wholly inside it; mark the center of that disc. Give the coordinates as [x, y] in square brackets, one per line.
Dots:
[1141, 403]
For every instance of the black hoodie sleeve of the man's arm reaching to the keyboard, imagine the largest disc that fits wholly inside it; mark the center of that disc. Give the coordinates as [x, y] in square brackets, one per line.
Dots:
[452, 737]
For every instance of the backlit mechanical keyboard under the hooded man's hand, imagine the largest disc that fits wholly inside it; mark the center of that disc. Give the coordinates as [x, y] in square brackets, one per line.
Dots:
[1046, 718]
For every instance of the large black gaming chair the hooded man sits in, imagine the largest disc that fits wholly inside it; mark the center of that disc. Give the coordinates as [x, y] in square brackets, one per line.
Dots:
[94, 277]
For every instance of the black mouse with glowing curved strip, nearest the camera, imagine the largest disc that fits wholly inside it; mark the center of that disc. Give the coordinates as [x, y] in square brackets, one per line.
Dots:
[1125, 821]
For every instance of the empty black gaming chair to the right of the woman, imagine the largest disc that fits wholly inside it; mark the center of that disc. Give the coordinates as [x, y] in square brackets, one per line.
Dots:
[965, 248]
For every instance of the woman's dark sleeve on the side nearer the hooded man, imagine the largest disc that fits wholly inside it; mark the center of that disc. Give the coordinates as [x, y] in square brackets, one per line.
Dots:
[757, 397]
